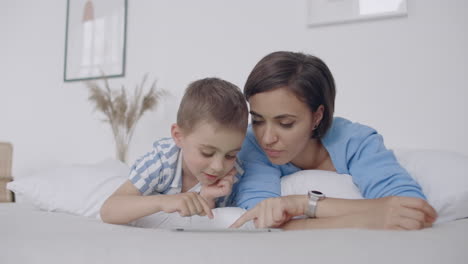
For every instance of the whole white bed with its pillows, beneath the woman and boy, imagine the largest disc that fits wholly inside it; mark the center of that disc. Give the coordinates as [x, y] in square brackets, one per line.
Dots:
[56, 221]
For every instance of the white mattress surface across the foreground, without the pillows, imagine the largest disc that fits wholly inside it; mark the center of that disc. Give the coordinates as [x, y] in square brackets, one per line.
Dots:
[31, 236]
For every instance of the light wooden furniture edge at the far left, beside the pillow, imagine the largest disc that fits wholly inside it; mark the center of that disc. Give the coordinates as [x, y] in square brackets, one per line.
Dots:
[6, 154]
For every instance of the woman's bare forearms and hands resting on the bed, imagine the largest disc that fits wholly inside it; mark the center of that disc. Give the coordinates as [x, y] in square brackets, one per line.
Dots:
[383, 213]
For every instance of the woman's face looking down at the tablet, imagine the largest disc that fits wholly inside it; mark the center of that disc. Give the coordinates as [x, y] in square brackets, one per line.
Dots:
[282, 124]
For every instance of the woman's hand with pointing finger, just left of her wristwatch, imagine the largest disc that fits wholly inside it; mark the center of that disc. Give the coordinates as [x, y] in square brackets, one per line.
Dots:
[274, 212]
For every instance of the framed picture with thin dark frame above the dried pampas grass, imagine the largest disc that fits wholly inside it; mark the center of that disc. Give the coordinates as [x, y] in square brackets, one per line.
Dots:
[95, 39]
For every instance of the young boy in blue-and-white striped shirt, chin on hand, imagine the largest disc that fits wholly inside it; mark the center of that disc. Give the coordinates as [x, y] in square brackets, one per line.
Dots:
[193, 171]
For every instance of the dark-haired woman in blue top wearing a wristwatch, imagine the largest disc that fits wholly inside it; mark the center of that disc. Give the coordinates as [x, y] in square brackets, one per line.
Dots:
[291, 97]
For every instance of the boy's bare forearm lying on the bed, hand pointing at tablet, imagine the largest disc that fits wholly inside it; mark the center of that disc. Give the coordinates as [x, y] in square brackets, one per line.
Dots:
[127, 204]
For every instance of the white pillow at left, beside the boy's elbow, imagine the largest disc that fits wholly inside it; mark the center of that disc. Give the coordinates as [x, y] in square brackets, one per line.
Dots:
[75, 189]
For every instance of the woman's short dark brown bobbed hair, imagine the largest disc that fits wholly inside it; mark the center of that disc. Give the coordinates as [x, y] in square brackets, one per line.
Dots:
[308, 77]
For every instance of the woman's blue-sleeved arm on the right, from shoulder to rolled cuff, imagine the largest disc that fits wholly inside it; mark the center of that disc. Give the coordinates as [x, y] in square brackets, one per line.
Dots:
[359, 151]
